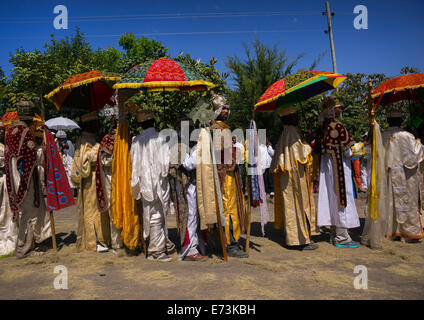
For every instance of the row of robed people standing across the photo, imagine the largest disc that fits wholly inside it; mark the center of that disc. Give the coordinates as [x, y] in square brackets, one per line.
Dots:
[208, 197]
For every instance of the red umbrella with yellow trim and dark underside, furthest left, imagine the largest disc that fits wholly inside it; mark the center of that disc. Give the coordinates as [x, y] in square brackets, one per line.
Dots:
[84, 91]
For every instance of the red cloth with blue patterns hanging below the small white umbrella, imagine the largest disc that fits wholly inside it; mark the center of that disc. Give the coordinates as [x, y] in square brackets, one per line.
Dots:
[58, 191]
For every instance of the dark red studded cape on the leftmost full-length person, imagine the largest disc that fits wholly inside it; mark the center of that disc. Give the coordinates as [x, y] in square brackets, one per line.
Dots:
[19, 144]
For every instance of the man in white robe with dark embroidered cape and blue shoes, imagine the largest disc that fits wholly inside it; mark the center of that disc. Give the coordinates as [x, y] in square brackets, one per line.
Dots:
[336, 204]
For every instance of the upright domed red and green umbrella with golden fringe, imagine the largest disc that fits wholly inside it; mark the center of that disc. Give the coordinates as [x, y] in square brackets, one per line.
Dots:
[163, 75]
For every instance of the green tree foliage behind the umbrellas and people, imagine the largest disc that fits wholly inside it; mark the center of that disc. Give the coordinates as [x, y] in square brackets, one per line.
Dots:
[37, 72]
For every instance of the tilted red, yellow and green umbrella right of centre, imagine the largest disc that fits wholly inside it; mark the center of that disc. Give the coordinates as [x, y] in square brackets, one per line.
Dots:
[296, 88]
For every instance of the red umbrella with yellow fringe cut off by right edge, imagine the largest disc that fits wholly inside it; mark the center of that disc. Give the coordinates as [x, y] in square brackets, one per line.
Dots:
[407, 87]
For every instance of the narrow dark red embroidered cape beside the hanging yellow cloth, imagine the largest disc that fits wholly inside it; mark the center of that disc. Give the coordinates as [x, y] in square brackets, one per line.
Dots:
[106, 145]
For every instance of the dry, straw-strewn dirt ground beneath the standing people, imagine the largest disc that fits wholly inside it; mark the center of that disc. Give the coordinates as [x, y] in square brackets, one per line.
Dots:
[272, 271]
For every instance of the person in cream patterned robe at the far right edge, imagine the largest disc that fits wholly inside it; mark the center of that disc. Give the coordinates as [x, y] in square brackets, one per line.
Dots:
[403, 156]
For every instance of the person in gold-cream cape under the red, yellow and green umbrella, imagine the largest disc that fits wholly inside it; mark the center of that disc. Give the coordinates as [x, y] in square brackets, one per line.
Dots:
[294, 205]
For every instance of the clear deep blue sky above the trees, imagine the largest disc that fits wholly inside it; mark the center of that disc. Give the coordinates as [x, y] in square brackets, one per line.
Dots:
[394, 37]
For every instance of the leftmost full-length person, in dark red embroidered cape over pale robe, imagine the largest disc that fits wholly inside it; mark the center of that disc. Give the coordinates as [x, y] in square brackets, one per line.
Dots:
[24, 178]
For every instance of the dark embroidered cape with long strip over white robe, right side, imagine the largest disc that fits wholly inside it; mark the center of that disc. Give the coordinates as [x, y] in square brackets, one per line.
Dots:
[335, 141]
